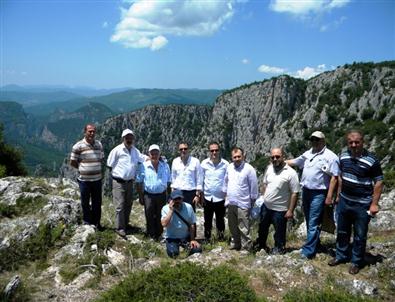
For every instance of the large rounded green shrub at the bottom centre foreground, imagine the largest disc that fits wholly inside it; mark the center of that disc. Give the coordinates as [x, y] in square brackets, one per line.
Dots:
[182, 282]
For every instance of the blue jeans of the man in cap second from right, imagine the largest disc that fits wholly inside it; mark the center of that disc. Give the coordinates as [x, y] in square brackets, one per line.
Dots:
[313, 208]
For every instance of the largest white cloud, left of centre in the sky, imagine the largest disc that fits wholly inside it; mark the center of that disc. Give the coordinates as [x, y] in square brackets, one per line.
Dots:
[147, 24]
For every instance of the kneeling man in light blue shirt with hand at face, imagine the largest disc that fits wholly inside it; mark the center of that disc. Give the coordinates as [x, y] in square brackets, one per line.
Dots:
[179, 221]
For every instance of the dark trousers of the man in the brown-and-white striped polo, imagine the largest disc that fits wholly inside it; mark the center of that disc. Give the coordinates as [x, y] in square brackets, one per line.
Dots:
[91, 198]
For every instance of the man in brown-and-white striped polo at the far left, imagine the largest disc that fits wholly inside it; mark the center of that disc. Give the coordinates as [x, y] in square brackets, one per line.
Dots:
[87, 156]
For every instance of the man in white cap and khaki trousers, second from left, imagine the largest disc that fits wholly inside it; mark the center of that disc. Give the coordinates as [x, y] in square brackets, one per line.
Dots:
[123, 161]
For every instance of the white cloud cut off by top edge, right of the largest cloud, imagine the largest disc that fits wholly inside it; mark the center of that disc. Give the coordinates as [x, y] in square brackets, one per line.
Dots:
[306, 6]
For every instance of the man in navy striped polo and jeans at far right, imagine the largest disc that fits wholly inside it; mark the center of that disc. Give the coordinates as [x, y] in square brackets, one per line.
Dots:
[361, 184]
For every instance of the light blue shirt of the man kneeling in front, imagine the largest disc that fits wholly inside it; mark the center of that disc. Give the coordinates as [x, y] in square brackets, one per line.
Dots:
[177, 229]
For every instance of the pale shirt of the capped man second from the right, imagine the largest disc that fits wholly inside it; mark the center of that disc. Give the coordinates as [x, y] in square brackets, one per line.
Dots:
[318, 168]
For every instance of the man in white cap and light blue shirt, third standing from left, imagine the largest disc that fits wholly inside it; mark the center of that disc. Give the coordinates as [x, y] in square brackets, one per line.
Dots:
[153, 182]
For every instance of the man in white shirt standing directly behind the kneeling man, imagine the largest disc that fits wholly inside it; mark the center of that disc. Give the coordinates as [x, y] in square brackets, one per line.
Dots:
[186, 176]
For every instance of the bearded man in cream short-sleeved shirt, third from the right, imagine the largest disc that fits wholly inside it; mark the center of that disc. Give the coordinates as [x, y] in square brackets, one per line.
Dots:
[280, 193]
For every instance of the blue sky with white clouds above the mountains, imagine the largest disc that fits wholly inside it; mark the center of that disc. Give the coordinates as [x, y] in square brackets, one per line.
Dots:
[202, 44]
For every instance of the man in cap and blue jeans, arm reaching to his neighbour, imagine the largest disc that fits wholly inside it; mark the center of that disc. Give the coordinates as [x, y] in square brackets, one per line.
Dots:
[320, 167]
